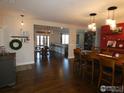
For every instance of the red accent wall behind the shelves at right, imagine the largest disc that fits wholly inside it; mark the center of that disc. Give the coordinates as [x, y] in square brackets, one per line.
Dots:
[107, 35]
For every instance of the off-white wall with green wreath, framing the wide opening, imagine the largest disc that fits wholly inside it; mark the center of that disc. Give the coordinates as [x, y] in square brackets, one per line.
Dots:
[26, 54]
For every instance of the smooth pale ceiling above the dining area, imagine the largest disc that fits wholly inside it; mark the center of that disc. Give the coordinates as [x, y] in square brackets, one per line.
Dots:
[65, 11]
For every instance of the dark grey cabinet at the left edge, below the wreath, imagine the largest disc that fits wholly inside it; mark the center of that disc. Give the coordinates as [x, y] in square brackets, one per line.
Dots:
[7, 70]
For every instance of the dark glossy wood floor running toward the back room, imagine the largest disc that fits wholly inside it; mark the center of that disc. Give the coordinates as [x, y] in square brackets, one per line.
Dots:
[53, 74]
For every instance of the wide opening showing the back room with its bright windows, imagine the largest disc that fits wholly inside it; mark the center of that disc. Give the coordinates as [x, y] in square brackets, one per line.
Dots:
[51, 40]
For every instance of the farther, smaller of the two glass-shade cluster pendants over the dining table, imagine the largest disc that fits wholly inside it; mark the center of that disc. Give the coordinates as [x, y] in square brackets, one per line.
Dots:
[92, 25]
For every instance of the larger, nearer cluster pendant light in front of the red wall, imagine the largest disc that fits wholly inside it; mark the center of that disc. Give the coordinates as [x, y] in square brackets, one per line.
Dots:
[110, 20]
